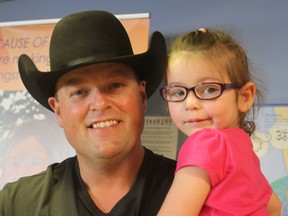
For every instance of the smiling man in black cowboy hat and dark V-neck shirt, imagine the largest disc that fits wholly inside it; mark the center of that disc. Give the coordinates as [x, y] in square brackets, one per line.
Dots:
[98, 90]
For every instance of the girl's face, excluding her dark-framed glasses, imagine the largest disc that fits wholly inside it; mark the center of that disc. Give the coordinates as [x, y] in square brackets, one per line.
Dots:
[194, 114]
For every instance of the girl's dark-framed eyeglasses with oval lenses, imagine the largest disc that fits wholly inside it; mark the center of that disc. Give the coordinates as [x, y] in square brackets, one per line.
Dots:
[203, 91]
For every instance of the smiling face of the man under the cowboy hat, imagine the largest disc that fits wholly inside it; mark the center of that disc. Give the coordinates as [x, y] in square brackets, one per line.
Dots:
[101, 108]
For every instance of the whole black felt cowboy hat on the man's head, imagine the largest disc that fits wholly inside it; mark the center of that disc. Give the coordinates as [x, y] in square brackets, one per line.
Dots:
[87, 38]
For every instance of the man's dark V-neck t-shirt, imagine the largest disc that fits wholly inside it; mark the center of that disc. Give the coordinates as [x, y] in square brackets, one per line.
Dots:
[59, 191]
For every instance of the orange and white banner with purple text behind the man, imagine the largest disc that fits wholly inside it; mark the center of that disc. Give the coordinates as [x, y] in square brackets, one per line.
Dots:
[30, 138]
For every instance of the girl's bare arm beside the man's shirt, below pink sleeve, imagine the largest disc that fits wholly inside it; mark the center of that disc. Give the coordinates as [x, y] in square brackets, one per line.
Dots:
[188, 192]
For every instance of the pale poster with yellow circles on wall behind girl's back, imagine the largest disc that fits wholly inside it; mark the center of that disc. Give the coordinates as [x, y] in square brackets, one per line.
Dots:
[271, 145]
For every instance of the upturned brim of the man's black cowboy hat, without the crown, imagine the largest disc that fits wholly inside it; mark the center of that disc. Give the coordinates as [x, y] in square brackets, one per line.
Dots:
[149, 66]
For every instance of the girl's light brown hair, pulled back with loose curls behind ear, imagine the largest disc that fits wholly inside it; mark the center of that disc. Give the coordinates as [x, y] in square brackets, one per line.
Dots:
[223, 50]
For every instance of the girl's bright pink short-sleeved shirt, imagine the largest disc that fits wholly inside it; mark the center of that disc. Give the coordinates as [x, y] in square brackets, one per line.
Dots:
[238, 186]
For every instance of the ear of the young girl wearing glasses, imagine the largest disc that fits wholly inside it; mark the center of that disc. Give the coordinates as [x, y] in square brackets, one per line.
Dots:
[246, 97]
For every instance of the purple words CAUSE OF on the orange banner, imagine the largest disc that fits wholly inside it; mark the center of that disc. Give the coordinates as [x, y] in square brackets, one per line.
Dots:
[19, 43]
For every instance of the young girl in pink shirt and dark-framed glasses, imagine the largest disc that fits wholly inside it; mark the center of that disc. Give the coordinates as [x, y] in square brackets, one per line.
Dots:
[209, 93]
